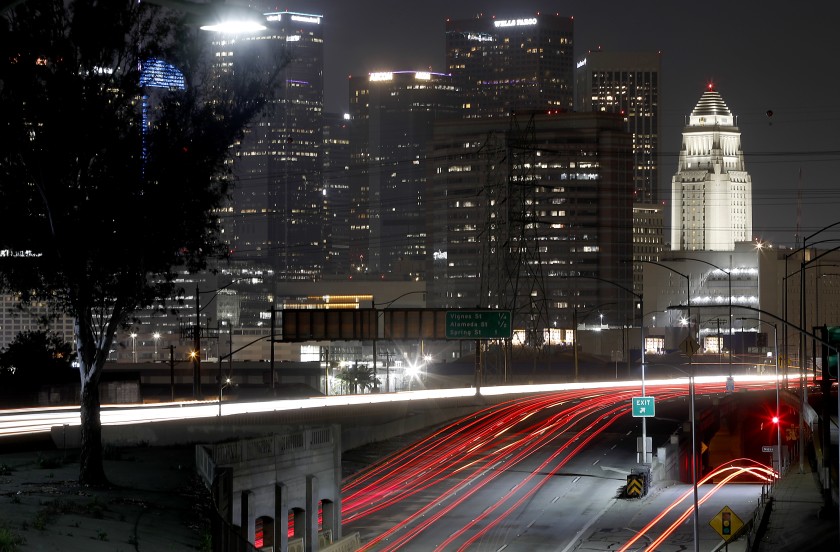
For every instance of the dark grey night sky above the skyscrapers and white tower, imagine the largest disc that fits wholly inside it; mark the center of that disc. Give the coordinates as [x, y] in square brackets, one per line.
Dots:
[769, 55]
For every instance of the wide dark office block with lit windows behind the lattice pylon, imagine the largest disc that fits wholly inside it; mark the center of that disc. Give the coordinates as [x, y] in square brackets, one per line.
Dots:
[564, 183]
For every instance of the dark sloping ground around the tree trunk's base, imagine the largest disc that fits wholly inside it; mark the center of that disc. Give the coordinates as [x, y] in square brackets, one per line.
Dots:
[154, 503]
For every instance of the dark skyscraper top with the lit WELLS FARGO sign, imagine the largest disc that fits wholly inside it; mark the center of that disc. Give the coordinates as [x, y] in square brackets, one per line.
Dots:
[512, 65]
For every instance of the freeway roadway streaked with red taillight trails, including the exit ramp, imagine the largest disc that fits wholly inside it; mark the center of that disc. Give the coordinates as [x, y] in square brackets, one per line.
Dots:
[543, 472]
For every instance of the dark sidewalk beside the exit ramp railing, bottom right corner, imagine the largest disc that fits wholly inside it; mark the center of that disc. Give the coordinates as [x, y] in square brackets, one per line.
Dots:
[794, 524]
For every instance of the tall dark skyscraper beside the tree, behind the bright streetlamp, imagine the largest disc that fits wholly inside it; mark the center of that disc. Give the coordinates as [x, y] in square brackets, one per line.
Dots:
[276, 215]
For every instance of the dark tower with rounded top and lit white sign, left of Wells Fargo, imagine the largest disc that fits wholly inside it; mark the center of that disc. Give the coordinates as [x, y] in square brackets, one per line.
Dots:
[393, 116]
